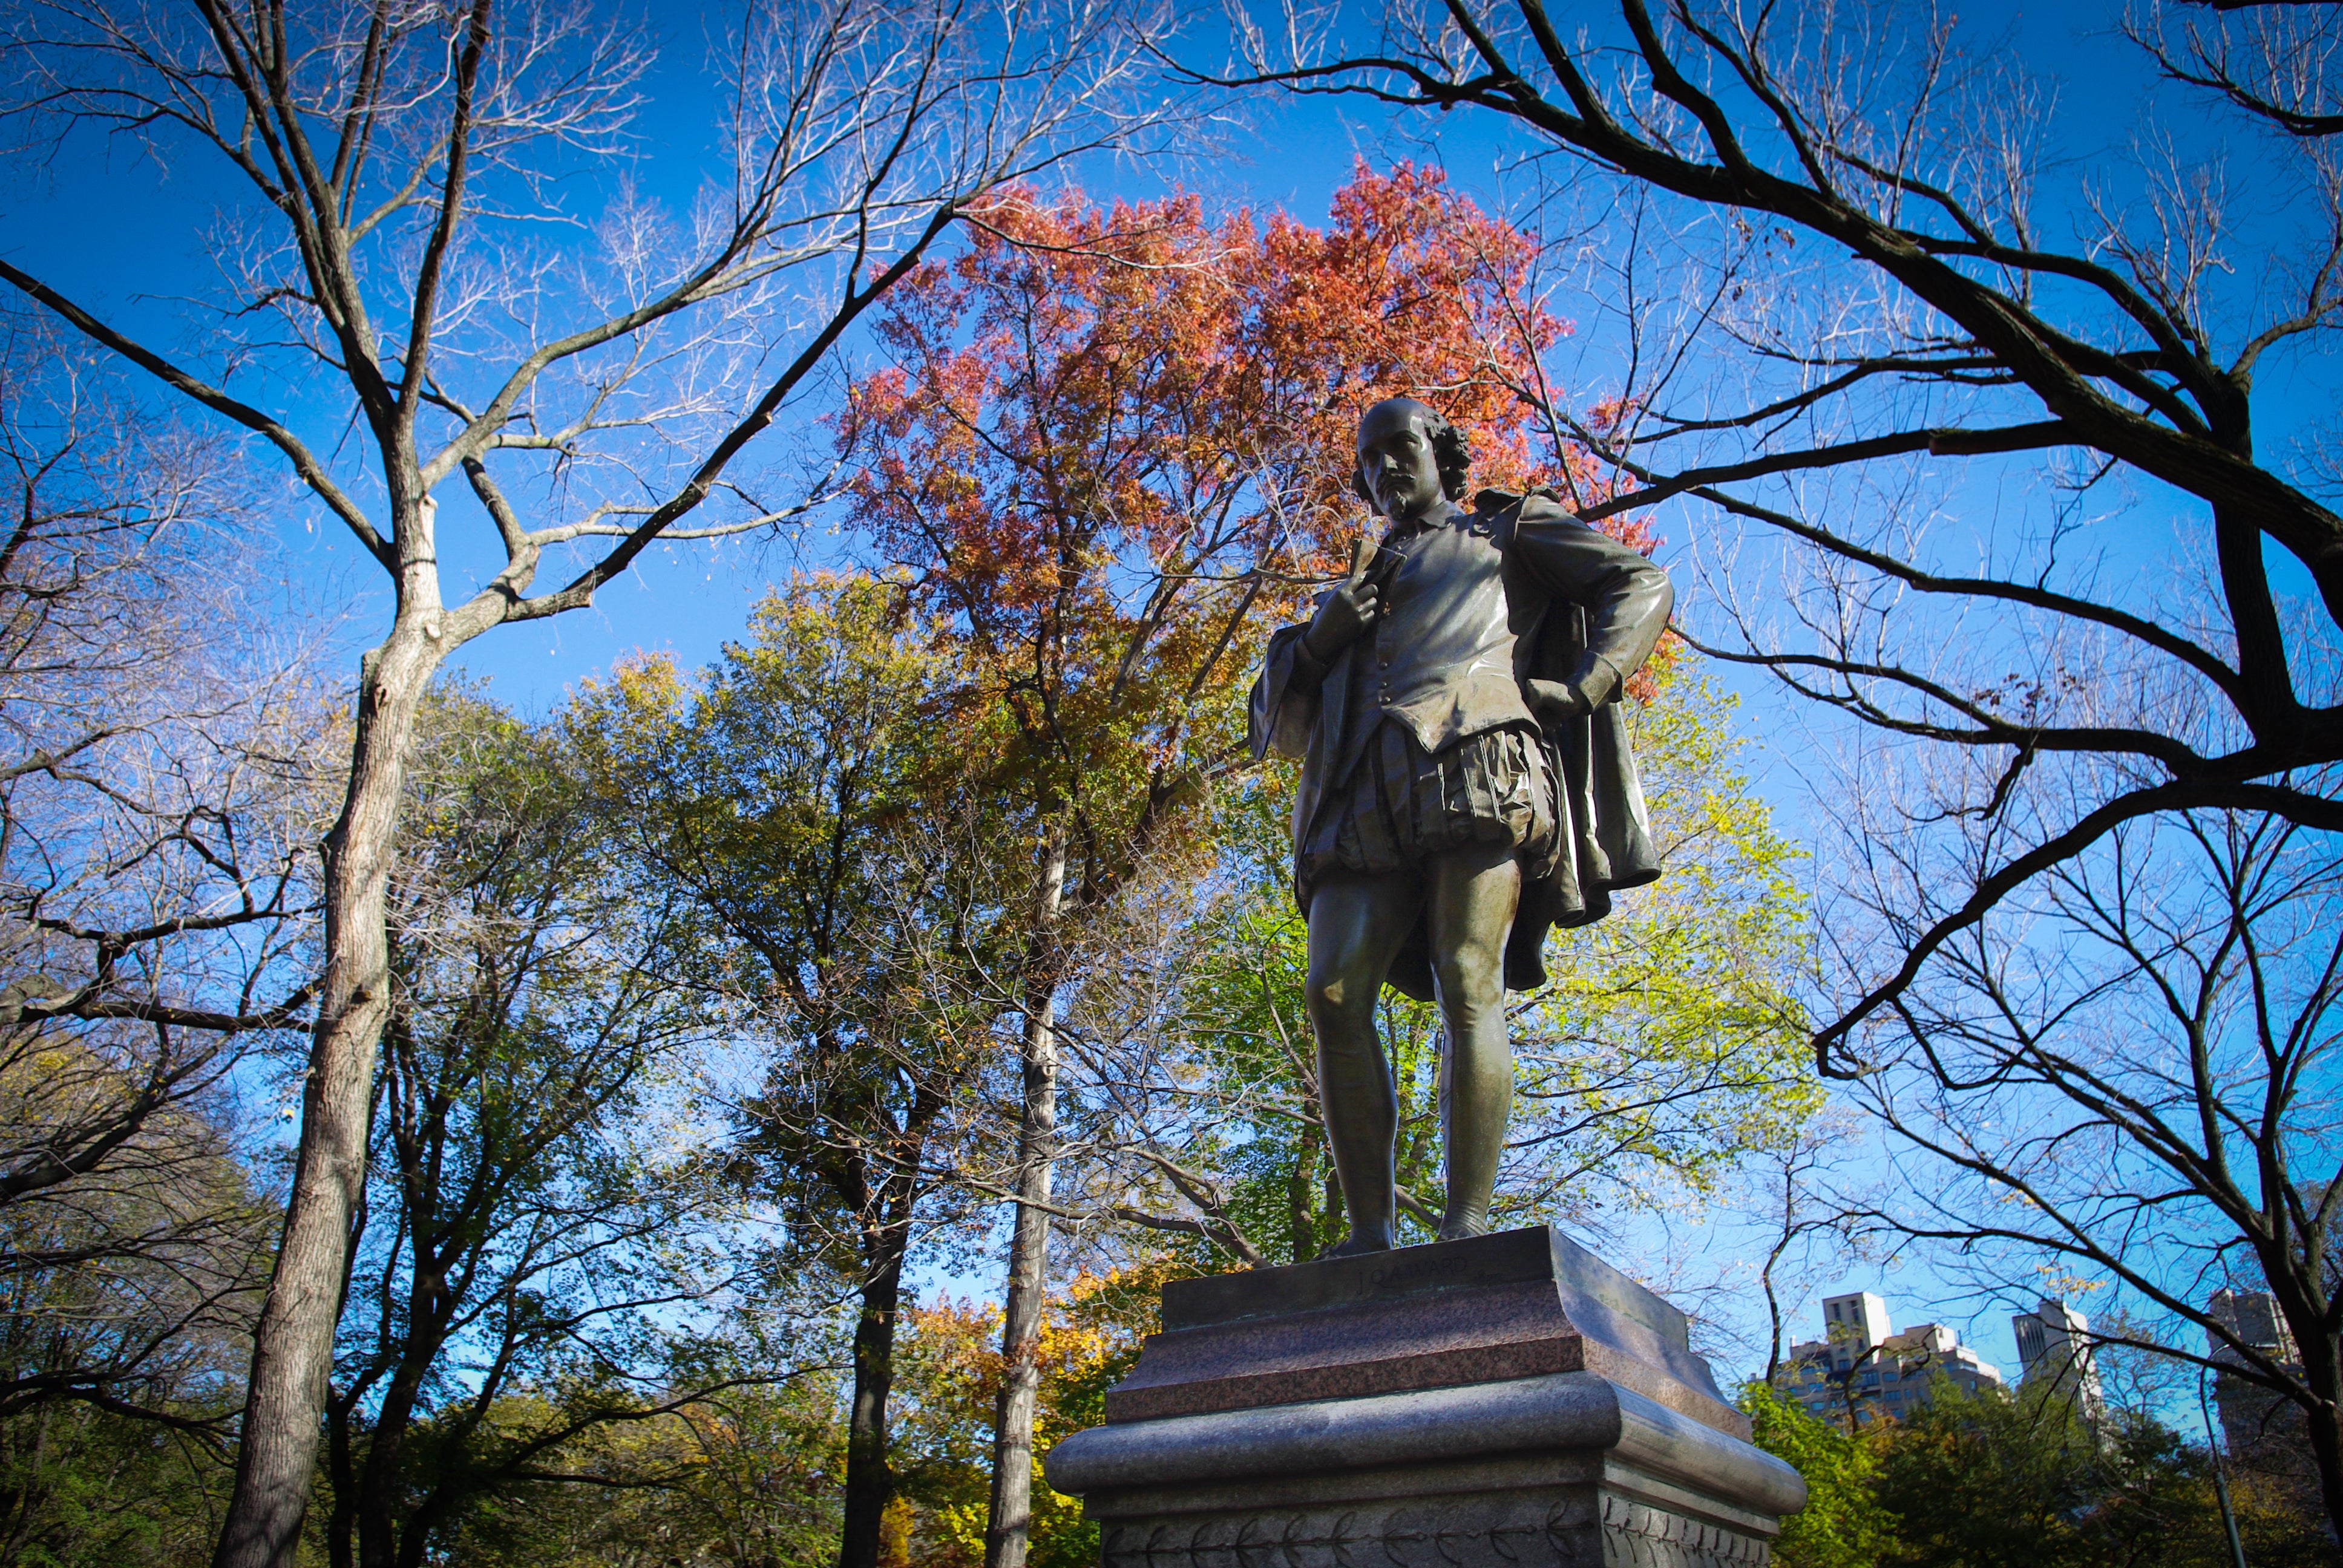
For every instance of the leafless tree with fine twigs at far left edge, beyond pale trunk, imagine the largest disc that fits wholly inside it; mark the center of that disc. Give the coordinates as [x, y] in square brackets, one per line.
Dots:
[158, 798]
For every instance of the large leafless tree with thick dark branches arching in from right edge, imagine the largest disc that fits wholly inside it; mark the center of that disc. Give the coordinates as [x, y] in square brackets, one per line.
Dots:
[1862, 289]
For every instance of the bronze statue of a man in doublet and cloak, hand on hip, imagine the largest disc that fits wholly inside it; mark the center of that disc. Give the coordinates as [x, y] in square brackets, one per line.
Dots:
[1466, 786]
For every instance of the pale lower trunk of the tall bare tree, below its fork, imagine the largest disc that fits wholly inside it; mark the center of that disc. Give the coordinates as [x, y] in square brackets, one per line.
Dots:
[294, 1342]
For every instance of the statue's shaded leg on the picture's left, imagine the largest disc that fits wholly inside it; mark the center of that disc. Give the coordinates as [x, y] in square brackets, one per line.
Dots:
[1355, 929]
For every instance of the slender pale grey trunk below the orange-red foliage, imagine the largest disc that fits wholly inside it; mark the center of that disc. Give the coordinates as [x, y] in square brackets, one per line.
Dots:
[1030, 1248]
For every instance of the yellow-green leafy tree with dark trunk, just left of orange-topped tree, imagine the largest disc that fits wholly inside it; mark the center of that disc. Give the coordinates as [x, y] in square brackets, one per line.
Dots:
[817, 800]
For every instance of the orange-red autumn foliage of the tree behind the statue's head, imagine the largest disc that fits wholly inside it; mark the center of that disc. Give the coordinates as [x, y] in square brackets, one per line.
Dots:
[1114, 449]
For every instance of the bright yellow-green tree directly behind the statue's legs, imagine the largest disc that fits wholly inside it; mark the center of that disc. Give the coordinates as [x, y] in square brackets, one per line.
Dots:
[1665, 1051]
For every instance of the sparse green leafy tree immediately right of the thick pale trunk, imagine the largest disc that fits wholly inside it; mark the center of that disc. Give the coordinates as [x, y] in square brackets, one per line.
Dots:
[540, 1222]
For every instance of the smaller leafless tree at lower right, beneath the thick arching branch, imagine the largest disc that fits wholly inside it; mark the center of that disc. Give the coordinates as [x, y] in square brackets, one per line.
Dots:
[2129, 1079]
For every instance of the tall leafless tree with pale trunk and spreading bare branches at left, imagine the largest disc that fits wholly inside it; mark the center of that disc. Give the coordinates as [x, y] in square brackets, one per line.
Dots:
[399, 231]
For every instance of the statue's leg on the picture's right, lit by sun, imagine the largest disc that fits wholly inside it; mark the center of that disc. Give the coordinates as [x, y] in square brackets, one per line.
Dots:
[1473, 899]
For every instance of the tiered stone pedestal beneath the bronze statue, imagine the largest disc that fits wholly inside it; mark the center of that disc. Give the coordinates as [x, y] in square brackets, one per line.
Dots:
[1503, 1403]
